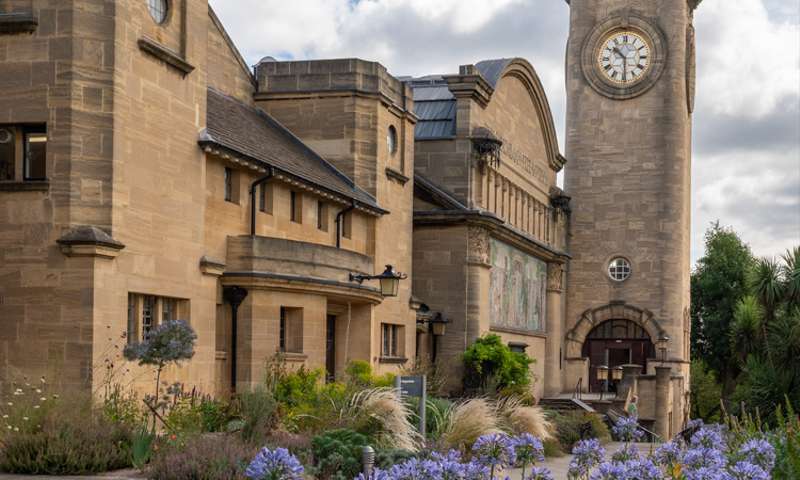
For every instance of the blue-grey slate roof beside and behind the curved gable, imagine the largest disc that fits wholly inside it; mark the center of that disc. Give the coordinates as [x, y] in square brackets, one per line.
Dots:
[435, 105]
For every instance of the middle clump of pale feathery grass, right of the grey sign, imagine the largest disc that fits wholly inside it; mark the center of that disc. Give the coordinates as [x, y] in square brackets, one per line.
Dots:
[467, 422]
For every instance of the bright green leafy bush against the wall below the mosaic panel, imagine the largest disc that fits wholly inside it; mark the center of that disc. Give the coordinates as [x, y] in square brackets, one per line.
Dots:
[491, 366]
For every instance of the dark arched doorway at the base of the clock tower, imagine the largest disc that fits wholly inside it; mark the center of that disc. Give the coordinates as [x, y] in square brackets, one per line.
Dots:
[614, 343]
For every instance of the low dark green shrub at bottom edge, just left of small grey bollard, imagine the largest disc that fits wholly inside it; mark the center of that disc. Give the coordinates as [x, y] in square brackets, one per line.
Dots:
[337, 454]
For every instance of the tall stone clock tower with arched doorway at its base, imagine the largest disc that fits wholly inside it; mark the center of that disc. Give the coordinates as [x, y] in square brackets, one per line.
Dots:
[630, 88]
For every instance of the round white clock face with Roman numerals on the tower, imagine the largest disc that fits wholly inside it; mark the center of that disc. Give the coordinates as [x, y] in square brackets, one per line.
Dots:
[624, 57]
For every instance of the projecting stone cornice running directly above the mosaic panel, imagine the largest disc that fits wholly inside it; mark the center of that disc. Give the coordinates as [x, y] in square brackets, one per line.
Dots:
[496, 227]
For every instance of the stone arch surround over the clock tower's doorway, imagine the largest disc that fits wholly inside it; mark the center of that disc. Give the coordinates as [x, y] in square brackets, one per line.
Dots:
[592, 317]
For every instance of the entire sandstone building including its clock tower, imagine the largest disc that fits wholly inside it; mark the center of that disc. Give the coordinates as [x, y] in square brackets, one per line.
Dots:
[147, 173]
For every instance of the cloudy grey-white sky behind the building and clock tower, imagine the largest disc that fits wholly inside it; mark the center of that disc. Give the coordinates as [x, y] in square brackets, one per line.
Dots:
[746, 164]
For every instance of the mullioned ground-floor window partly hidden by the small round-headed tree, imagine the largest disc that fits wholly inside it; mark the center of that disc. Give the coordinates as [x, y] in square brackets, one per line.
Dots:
[146, 312]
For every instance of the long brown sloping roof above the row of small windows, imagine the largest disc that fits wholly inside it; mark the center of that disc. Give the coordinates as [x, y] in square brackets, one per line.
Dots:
[254, 134]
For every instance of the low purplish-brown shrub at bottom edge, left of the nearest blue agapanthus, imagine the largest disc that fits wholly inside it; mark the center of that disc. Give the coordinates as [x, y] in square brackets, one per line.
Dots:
[203, 457]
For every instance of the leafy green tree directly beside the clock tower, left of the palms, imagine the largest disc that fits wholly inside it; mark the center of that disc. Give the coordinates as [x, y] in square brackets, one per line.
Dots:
[719, 281]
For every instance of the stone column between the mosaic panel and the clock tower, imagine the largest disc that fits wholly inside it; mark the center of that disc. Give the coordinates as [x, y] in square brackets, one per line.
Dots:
[554, 328]
